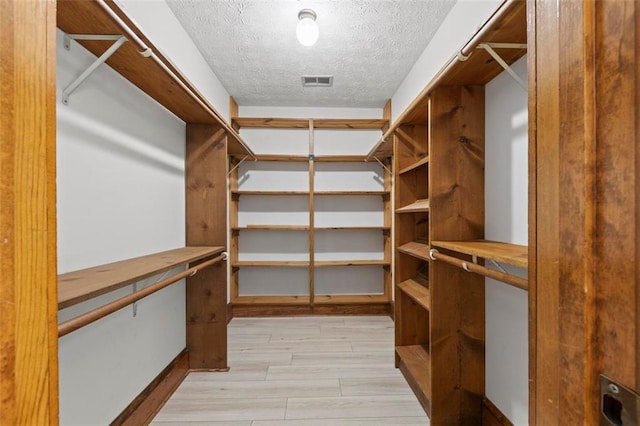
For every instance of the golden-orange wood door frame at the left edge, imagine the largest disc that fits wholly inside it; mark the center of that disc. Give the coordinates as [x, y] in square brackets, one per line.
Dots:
[28, 312]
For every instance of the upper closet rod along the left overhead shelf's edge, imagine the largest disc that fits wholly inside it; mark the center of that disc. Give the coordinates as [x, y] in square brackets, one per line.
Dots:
[146, 51]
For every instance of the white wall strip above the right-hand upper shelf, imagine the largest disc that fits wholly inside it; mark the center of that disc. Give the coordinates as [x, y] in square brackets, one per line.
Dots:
[461, 23]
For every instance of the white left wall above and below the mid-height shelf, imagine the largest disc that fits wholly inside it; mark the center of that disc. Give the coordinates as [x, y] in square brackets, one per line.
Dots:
[120, 161]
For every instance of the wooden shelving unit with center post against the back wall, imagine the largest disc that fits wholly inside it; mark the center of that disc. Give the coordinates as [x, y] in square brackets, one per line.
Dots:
[315, 301]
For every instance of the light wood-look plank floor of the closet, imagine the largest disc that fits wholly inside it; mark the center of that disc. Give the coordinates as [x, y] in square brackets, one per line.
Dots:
[299, 371]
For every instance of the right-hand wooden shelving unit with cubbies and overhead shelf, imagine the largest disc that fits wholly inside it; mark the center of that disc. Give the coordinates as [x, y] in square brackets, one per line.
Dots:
[437, 145]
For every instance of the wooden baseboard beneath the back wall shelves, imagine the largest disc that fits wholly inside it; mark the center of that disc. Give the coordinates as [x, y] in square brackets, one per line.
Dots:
[273, 310]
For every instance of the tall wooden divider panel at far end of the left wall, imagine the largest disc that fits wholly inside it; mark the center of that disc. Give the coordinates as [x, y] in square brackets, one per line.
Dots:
[206, 217]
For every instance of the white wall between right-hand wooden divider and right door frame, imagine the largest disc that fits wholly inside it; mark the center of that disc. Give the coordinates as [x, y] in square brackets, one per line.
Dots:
[506, 220]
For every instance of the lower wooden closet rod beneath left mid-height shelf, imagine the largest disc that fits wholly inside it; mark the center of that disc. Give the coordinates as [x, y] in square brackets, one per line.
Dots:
[102, 311]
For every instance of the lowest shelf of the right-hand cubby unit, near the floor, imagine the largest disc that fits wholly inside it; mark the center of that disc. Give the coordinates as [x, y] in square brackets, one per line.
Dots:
[414, 363]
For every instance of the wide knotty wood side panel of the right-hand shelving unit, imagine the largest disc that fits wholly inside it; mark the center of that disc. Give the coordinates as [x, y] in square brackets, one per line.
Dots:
[457, 213]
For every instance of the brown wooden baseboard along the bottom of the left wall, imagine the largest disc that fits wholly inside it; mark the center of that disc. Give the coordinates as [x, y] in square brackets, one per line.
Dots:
[148, 403]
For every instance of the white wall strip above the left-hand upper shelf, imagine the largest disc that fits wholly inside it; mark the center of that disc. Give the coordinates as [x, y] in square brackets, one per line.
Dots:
[160, 25]
